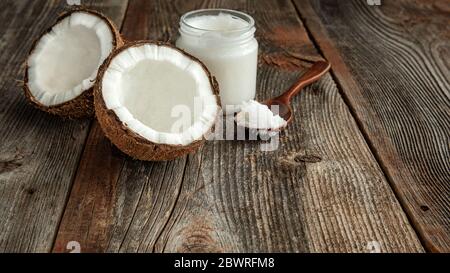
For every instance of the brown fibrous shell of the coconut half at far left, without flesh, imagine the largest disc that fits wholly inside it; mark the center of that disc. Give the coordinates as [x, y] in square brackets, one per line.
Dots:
[83, 105]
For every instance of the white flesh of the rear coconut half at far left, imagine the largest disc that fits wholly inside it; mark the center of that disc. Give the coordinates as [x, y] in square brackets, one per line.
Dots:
[65, 61]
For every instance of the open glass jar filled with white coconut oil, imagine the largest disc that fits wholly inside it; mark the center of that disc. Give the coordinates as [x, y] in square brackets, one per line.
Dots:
[224, 41]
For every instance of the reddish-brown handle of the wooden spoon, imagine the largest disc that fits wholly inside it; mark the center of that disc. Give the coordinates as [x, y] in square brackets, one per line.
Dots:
[317, 70]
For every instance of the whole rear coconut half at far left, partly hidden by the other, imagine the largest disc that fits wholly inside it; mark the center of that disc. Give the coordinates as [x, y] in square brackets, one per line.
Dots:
[63, 63]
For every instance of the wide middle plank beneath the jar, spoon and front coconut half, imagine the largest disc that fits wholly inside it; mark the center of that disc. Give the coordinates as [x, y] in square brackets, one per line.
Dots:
[322, 191]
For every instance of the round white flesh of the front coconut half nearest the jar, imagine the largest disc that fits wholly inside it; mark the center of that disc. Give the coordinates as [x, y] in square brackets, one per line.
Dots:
[161, 94]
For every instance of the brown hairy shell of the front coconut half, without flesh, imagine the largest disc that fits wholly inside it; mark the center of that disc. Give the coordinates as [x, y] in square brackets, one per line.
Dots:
[128, 141]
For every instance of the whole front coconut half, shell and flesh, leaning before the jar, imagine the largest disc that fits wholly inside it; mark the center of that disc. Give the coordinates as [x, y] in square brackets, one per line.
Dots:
[154, 101]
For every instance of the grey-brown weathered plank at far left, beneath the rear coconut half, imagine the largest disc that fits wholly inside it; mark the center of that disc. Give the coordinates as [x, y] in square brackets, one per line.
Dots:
[39, 153]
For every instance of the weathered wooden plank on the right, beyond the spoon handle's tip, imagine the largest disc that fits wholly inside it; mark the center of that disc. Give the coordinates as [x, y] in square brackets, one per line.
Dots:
[392, 64]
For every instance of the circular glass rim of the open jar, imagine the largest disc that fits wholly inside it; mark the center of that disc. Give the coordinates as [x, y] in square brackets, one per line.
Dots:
[199, 12]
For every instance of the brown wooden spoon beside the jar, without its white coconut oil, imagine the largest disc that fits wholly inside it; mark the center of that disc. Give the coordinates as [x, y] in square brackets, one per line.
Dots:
[317, 70]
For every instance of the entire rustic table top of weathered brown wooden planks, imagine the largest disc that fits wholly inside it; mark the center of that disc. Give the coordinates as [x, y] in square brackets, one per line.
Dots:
[365, 164]
